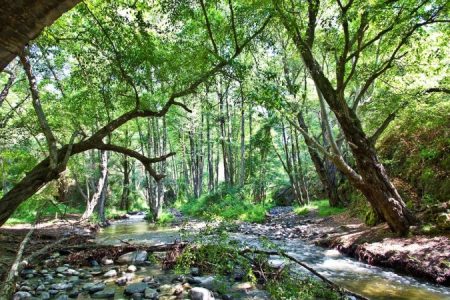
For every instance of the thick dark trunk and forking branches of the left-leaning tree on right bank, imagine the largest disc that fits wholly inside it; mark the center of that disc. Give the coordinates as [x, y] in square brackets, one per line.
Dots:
[371, 178]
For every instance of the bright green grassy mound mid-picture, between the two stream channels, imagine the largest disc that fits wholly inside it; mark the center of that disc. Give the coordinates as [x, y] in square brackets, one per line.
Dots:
[225, 205]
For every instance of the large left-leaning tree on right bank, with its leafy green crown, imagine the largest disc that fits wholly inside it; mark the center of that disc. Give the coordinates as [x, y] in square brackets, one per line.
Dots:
[353, 30]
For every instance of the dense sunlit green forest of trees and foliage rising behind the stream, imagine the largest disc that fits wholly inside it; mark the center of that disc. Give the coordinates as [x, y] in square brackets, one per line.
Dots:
[222, 110]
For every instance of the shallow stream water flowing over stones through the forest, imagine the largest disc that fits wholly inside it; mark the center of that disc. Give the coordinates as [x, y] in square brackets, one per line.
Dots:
[372, 282]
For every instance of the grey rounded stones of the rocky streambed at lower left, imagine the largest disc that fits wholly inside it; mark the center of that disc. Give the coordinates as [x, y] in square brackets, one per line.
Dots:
[133, 275]
